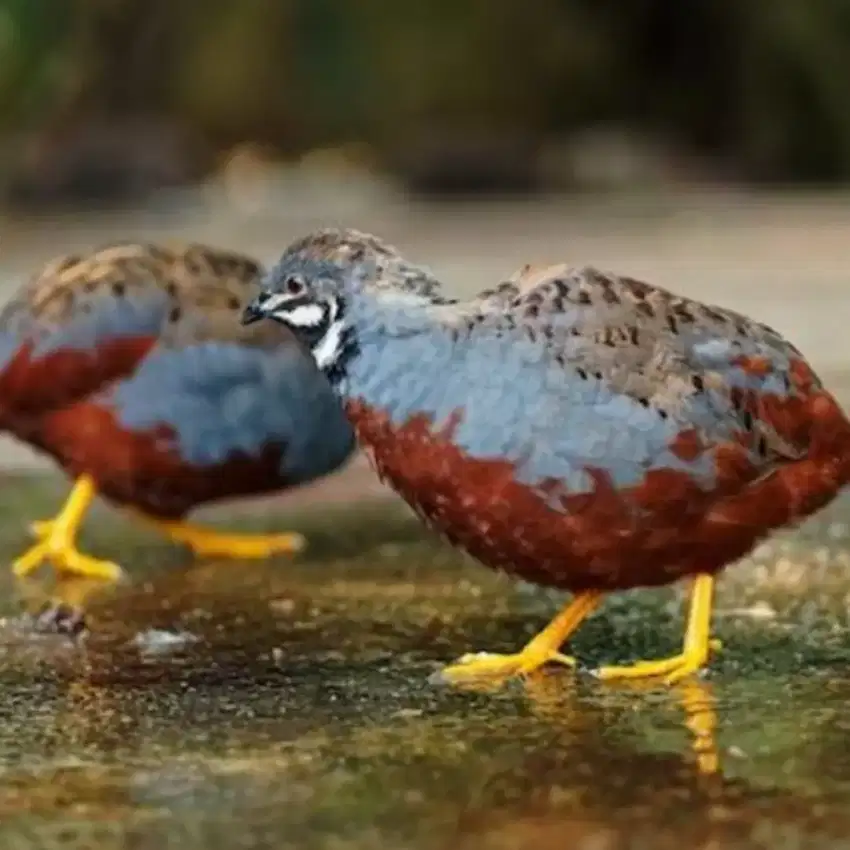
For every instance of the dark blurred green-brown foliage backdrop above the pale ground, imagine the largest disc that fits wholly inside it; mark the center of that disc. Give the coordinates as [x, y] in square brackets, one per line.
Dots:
[118, 97]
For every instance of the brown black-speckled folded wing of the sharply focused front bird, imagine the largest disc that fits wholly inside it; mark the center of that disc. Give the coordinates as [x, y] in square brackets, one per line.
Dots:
[703, 367]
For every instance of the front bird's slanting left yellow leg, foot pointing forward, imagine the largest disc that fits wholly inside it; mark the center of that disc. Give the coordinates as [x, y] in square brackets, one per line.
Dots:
[543, 648]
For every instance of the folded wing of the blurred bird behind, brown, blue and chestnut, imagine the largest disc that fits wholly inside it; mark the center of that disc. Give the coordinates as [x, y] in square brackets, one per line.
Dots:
[84, 321]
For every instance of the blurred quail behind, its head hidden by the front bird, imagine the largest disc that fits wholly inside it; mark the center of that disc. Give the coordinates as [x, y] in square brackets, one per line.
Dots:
[128, 366]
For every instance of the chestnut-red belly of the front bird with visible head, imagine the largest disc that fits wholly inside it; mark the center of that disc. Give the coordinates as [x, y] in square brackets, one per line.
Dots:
[665, 527]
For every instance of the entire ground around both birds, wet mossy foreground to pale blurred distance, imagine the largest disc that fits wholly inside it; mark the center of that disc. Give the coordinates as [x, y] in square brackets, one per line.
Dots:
[288, 704]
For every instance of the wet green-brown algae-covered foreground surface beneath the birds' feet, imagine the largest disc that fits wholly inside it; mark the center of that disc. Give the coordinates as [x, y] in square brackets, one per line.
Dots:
[288, 704]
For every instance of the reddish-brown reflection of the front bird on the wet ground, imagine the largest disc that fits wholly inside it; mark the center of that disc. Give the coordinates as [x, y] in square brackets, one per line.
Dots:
[613, 773]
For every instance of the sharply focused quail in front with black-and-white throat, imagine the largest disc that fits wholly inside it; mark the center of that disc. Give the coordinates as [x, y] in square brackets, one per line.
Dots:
[575, 428]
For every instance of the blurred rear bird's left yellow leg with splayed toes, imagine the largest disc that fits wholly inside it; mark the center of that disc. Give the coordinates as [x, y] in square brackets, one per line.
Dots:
[57, 540]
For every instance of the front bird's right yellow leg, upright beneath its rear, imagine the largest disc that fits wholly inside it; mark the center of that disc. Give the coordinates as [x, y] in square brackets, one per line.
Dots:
[697, 646]
